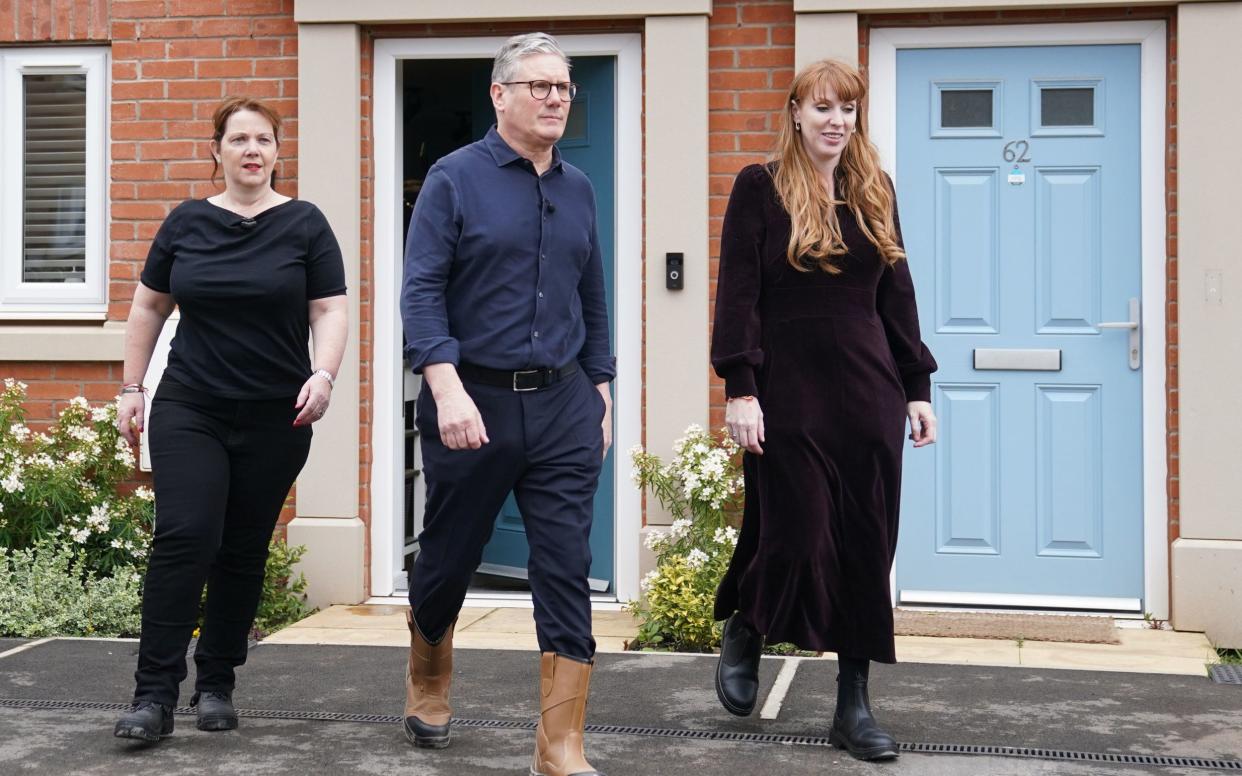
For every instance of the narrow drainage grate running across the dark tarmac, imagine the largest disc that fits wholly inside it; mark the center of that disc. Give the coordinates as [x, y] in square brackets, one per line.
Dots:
[668, 733]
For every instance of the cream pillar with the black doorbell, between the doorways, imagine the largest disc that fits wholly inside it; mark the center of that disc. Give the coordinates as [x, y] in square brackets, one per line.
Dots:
[678, 222]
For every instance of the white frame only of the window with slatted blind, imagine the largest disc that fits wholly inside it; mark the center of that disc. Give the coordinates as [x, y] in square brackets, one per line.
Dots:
[54, 301]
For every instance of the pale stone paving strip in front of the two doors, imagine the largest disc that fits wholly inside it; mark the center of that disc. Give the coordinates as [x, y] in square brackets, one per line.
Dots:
[1142, 651]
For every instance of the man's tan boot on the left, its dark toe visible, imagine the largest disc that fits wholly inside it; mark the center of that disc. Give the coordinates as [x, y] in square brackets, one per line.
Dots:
[428, 676]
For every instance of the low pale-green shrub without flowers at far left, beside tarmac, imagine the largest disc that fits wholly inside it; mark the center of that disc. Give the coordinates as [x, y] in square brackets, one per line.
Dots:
[50, 590]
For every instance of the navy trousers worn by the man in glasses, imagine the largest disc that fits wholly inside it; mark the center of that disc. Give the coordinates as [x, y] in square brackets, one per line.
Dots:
[547, 448]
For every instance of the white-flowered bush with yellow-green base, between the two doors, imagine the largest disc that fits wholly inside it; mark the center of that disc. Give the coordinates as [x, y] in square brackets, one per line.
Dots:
[700, 487]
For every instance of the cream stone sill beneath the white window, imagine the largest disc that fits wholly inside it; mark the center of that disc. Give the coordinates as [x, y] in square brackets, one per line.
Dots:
[83, 341]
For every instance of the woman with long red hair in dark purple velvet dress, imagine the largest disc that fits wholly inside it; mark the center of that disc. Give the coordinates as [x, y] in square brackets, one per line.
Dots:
[818, 340]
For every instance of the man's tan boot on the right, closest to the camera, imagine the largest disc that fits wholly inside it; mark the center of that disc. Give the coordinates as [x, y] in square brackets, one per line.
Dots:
[563, 687]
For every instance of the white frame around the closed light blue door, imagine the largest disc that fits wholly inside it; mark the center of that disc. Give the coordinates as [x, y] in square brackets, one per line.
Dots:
[1151, 38]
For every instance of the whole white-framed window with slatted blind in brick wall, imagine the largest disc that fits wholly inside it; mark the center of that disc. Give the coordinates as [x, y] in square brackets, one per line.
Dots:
[54, 106]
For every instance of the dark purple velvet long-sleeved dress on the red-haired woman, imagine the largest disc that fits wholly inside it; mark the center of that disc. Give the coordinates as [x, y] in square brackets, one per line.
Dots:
[833, 361]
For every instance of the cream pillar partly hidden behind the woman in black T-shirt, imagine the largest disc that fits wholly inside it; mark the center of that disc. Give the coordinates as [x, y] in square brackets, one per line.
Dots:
[330, 146]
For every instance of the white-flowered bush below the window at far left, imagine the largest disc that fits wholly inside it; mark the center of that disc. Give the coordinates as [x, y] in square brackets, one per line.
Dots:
[61, 486]
